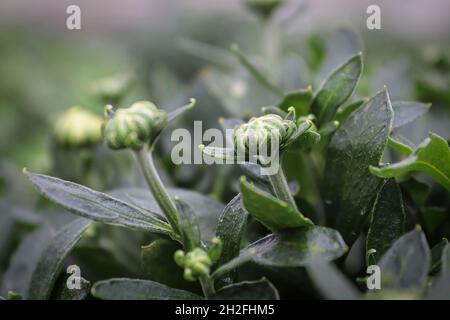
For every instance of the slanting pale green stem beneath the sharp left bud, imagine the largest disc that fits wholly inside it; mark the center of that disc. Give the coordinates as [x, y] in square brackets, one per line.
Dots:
[157, 188]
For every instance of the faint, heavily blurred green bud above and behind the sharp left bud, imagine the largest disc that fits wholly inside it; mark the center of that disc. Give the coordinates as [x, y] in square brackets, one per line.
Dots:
[110, 90]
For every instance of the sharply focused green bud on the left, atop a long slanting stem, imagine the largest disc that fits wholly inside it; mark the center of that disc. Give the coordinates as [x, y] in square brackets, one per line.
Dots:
[133, 127]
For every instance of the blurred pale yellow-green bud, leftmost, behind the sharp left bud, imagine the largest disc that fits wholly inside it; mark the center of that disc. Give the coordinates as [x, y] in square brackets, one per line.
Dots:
[78, 128]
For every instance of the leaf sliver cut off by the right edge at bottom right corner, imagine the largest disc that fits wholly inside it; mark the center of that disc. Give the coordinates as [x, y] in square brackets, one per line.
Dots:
[440, 289]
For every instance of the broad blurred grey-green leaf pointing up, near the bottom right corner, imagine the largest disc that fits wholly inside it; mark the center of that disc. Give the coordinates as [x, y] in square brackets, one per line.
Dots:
[405, 265]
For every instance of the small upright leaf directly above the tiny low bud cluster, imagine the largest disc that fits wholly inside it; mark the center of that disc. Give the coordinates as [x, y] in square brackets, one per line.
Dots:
[190, 231]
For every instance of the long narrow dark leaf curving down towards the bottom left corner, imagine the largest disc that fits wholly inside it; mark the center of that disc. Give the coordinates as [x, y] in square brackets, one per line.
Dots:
[52, 257]
